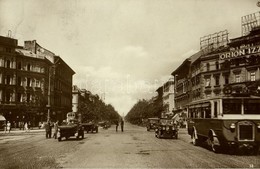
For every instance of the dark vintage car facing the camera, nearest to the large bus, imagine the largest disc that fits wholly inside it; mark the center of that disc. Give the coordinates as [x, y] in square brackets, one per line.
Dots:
[166, 129]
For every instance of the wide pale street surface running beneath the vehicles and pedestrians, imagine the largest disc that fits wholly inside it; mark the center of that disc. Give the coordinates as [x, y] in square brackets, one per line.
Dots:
[133, 148]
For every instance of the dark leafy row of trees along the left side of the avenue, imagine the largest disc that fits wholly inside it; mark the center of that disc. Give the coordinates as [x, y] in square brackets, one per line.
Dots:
[91, 107]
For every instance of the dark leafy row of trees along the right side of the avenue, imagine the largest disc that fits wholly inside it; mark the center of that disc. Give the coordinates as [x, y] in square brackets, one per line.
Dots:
[144, 109]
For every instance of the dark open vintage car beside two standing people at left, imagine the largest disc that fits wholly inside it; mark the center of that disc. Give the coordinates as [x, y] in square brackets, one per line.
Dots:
[71, 129]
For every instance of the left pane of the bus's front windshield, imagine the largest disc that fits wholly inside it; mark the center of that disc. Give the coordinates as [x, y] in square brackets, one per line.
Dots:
[232, 106]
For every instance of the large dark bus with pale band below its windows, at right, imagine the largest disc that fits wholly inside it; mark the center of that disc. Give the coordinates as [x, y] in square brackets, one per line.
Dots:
[226, 122]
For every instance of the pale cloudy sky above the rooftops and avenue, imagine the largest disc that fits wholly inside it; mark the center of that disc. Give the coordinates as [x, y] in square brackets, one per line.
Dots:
[122, 50]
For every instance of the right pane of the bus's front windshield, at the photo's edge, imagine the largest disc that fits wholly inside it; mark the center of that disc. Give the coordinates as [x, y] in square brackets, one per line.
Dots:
[251, 106]
